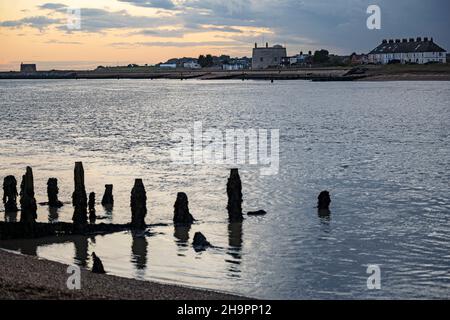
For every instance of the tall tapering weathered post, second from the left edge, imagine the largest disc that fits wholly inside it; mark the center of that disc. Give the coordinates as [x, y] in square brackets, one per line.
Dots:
[27, 200]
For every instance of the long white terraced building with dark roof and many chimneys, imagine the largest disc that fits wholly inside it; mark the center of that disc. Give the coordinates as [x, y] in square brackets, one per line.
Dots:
[408, 51]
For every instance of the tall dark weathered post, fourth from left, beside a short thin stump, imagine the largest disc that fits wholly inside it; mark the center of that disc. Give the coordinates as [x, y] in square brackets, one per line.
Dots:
[79, 197]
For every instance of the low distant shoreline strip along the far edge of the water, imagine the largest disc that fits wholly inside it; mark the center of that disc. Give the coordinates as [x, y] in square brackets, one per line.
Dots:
[435, 72]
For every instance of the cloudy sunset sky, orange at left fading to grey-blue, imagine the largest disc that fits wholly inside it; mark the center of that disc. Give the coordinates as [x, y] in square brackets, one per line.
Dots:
[118, 32]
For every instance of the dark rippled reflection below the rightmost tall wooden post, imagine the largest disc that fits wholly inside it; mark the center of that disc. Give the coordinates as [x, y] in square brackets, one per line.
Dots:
[234, 249]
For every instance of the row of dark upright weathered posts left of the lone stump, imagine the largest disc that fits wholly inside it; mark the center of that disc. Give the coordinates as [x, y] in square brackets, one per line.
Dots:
[84, 205]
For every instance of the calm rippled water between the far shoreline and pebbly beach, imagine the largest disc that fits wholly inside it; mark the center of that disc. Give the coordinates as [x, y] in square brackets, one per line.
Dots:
[382, 149]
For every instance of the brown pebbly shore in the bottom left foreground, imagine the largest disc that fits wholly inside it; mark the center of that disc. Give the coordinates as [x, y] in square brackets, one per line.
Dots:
[28, 278]
